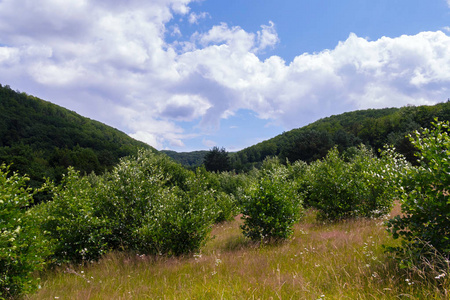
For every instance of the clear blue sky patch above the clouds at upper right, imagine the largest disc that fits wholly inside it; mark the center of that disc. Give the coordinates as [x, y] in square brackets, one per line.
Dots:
[315, 25]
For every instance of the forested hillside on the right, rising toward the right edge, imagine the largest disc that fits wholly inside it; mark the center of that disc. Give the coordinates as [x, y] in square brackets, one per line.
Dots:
[373, 127]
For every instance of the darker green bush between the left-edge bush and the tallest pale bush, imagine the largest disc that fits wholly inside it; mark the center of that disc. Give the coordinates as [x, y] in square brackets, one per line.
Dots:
[72, 221]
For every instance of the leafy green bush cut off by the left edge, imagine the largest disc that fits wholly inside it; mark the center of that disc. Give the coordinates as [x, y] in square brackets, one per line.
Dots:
[23, 250]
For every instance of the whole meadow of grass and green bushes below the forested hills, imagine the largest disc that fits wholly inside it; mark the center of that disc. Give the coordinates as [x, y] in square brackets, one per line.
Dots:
[350, 226]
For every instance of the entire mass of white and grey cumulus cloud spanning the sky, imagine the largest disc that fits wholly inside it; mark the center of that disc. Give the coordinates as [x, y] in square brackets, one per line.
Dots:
[110, 61]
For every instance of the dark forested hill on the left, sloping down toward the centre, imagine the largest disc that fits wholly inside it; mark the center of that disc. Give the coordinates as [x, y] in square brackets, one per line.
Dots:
[42, 139]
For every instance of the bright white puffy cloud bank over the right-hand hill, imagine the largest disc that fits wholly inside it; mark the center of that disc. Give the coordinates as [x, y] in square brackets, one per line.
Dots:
[357, 74]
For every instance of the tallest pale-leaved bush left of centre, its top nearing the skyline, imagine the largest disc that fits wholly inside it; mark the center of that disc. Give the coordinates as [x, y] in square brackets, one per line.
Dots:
[132, 190]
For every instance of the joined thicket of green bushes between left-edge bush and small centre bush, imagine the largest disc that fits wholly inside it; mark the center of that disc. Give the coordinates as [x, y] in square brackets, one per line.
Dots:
[136, 207]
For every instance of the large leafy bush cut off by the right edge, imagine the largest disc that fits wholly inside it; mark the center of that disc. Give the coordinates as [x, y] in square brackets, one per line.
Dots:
[425, 223]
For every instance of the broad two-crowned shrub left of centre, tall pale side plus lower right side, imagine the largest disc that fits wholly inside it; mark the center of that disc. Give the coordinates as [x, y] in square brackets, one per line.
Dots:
[148, 214]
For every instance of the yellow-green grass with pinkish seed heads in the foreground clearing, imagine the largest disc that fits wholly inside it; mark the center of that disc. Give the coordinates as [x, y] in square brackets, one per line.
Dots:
[343, 260]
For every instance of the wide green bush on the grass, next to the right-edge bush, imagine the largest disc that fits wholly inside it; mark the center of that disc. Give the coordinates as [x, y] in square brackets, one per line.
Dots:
[360, 187]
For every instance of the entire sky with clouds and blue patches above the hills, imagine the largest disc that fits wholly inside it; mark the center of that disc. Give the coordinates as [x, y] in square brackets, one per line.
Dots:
[188, 75]
